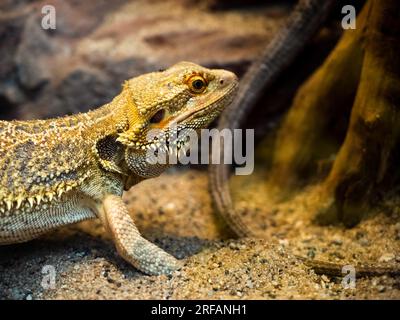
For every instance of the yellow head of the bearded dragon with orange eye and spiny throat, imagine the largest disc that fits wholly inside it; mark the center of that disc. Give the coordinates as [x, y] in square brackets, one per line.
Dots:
[184, 97]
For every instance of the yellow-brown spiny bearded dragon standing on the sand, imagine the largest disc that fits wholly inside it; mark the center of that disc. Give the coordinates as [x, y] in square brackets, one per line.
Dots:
[60, 171]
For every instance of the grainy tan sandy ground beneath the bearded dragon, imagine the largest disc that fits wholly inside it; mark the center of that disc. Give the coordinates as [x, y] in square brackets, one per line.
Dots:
[175, 211]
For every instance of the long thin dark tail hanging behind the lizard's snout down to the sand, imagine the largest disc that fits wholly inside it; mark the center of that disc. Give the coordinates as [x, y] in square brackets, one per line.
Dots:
[302, 24]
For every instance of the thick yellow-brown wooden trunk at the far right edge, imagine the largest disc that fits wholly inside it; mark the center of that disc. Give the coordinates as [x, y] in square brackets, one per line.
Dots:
[365, 158]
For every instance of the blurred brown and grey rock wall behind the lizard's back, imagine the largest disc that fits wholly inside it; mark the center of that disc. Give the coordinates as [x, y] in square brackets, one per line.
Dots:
[95, 47]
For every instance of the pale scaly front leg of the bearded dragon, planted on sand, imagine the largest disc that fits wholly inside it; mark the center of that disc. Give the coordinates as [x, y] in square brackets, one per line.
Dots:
[130, 244]
